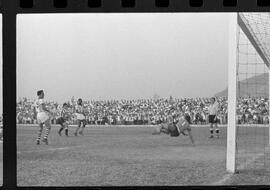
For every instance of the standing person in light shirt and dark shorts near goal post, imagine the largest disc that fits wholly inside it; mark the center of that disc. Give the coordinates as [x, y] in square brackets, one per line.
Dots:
[213, 111]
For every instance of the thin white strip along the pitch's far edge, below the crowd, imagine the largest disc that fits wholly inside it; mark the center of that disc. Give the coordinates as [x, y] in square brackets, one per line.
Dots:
[125, 126]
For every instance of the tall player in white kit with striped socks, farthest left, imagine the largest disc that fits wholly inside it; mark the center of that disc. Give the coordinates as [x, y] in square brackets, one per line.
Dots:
[43, 117]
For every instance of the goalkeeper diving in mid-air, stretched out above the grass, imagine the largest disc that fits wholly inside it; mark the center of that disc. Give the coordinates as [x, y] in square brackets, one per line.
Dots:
[174, 130]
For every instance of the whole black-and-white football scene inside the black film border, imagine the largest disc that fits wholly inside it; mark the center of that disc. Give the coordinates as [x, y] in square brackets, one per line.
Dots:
[143, 99]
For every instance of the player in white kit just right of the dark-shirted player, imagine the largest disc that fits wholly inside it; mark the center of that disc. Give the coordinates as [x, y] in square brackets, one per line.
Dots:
[79, 111]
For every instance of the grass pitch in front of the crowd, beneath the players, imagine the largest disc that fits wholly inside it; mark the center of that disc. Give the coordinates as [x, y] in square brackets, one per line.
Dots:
[121, 156]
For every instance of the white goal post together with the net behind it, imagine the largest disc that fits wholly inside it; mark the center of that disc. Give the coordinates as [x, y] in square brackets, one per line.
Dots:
[248, 138]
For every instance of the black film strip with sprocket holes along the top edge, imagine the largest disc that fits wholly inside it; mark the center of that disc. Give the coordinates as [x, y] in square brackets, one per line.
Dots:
[115, 6]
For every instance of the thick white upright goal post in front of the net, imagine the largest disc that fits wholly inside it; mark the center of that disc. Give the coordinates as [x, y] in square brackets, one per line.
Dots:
[232, 93]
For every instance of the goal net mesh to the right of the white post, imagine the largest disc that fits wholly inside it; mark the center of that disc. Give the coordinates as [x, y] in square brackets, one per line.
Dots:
[253, 48]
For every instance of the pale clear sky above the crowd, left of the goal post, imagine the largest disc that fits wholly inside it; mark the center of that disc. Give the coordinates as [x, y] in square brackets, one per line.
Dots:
[121, 56]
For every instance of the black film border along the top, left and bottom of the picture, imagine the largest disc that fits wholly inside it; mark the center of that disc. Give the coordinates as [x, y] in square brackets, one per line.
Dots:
[10, 9]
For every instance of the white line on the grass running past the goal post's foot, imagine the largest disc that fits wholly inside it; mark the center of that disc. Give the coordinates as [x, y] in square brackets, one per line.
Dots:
[228, 176]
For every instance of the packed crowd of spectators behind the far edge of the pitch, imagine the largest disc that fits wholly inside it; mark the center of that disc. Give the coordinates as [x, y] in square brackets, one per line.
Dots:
[151, 111]
